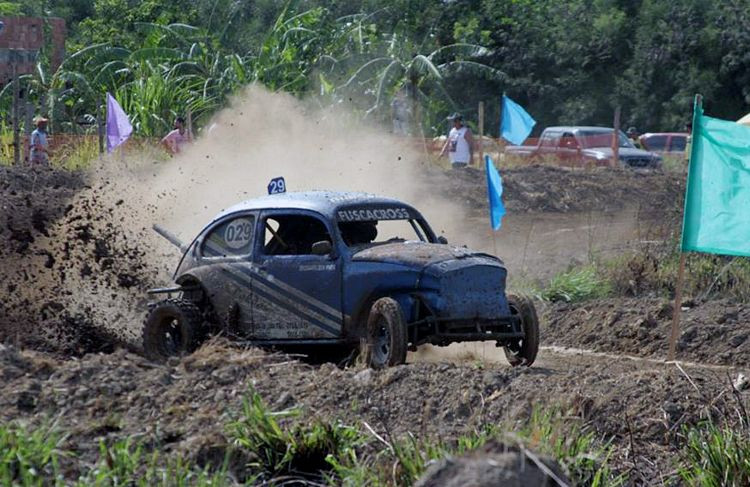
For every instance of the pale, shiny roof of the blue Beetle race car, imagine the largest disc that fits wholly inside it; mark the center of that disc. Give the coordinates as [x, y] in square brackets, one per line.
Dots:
[323, 202]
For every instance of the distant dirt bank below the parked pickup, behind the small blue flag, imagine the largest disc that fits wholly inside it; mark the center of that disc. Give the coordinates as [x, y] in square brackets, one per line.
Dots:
[545, 188]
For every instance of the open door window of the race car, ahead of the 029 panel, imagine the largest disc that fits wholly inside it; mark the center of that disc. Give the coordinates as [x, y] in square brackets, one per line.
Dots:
[293, 234]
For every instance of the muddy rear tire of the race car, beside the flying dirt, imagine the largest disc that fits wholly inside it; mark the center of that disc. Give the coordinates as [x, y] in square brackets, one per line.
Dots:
[172, 328]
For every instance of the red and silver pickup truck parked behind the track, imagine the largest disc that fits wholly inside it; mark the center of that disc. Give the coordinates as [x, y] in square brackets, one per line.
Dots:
[583, 146]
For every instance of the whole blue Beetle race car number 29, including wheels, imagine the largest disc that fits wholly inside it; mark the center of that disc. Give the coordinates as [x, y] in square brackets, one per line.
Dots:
[342, 270]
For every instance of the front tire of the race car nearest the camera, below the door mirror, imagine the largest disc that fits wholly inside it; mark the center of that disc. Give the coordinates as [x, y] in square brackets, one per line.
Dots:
[386, 341]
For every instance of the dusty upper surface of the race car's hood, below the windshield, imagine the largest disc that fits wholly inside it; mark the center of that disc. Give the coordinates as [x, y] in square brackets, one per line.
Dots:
[418, 254]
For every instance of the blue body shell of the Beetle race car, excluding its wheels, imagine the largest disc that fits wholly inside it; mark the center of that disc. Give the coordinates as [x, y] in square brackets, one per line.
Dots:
[320, 288]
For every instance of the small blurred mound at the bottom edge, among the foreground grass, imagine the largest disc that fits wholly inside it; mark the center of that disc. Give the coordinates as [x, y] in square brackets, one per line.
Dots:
[494, 464]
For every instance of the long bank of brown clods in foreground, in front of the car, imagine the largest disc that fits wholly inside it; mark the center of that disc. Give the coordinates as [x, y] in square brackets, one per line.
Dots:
[184, 406]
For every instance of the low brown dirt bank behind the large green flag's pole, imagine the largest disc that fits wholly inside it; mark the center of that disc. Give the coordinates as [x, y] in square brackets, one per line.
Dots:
[713, 332]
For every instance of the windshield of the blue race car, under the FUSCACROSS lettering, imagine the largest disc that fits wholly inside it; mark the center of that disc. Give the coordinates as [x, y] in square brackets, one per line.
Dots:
[367, 233]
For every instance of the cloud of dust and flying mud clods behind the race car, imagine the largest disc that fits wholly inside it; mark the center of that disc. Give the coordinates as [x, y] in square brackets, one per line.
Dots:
[105, 254]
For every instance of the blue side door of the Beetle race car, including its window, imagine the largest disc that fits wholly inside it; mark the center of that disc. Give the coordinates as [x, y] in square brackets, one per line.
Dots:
[296, 293]
